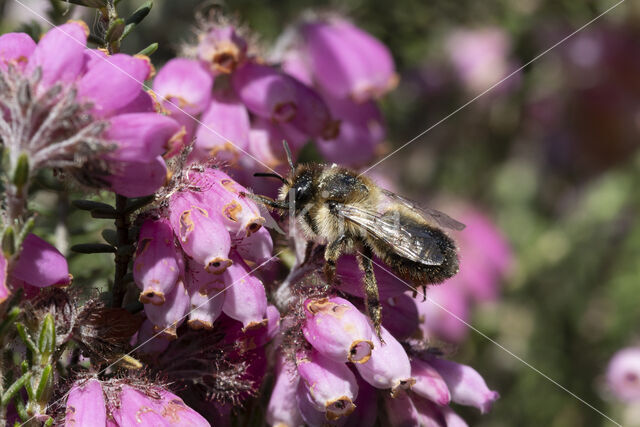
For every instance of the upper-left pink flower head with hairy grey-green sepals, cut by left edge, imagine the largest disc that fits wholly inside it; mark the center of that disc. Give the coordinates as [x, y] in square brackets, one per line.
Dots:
[77, 109]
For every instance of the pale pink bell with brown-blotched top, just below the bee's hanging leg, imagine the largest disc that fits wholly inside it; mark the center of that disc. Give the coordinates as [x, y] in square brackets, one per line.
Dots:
[336, 329]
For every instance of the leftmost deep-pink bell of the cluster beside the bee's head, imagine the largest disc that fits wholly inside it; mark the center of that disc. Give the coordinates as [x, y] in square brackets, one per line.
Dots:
[155, 268]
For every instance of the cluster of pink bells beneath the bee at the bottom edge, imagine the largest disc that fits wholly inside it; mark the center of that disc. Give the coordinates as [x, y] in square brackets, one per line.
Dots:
[335, 381]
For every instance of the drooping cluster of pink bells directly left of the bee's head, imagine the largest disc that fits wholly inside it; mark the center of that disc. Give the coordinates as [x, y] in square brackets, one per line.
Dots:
[192, 259]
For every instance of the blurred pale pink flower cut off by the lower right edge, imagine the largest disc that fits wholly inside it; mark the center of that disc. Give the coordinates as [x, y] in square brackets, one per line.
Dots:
[623, 374]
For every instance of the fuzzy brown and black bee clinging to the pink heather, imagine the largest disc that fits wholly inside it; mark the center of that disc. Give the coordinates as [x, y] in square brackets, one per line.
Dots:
[351, 214]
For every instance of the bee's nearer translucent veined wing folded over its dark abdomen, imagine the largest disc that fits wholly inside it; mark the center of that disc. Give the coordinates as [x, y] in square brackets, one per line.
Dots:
[411, 242]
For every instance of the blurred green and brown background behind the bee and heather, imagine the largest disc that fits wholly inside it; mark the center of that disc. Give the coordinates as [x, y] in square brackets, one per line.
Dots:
[549, 156]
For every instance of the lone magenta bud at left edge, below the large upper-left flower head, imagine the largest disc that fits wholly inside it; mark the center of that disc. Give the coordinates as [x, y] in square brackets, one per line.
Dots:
[40, 264]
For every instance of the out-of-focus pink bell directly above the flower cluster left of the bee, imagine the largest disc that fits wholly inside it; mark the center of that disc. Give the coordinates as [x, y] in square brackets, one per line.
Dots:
[224, 131]
